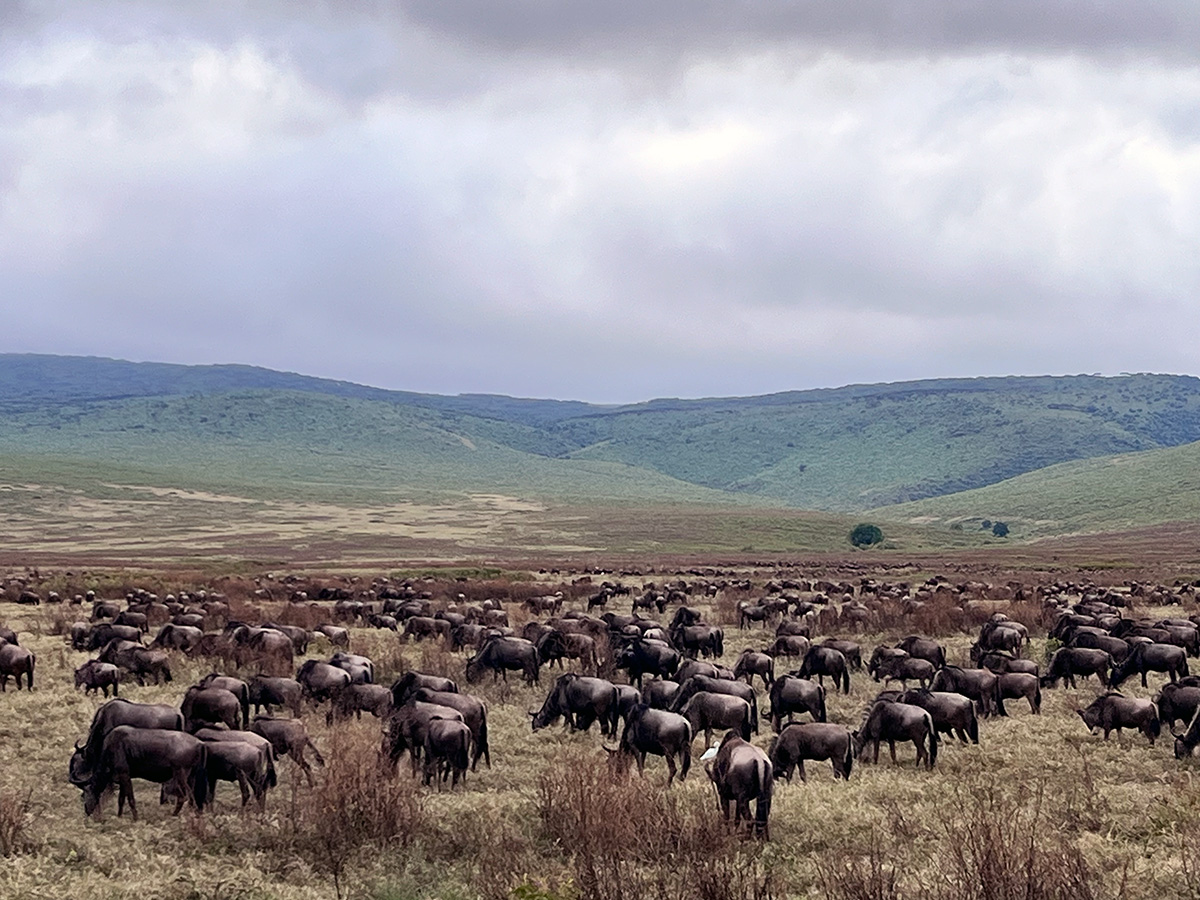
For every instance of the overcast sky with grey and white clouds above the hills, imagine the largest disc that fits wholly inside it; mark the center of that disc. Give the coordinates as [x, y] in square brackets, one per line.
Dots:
[605, 201]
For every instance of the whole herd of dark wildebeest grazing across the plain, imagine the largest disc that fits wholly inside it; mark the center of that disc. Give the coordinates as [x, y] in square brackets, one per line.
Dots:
[652, 686]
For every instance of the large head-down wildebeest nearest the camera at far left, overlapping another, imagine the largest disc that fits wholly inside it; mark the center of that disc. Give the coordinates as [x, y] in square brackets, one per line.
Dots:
[152, 754]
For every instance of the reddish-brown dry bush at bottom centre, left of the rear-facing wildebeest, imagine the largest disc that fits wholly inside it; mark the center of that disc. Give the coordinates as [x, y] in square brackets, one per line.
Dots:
[628, 839]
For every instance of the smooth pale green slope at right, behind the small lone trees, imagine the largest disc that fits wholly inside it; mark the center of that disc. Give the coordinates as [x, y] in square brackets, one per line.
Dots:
[1111, 494]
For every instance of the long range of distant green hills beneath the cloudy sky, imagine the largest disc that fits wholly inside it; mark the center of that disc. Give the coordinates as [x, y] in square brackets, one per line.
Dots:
[844, 449]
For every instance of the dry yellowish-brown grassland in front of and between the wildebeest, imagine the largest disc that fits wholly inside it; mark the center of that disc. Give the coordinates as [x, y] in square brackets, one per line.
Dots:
[1039, 809]
